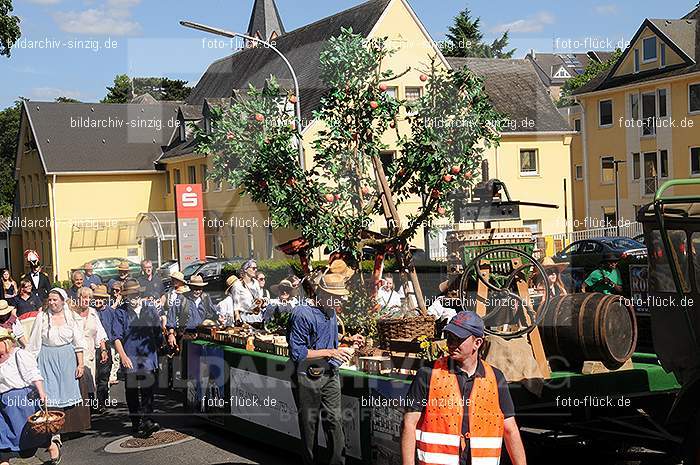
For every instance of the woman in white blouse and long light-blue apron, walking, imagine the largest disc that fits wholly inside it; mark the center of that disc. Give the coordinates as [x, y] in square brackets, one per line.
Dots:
[58, 342]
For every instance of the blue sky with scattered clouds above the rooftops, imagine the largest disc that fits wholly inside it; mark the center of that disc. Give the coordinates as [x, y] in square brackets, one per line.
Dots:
[85, 43]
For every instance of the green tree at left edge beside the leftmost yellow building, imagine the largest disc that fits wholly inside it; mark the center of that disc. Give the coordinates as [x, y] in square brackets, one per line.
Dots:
[9, 133]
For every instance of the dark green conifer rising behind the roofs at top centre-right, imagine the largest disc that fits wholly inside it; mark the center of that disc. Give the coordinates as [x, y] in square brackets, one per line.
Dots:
[466, 40]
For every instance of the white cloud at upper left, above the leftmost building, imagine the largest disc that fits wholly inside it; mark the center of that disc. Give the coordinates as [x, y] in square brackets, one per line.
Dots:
[98, 21]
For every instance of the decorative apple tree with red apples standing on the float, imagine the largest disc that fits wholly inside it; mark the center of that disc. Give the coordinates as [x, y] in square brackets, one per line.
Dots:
[332, 204]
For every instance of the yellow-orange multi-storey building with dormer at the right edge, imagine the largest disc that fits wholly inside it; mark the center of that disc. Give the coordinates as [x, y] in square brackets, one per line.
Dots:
[642, 116]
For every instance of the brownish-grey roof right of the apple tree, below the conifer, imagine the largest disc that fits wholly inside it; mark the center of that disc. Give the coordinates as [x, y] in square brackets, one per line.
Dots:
[515, 91]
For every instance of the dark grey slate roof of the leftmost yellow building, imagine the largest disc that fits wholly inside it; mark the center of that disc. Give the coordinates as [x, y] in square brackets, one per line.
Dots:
[127, 144]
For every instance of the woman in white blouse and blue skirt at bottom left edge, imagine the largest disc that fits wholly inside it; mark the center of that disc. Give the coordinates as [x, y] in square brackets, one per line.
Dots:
[20, 384]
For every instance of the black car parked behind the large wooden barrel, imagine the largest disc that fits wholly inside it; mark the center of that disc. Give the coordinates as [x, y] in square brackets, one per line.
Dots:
[586, 255]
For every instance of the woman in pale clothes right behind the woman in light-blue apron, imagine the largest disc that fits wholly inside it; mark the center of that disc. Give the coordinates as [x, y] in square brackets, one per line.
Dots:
[95, 336]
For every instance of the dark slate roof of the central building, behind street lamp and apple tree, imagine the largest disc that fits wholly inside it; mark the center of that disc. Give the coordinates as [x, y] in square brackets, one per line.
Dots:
[302, 47]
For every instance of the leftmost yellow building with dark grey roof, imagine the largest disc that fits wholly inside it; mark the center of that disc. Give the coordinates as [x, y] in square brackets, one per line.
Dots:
[85, 172]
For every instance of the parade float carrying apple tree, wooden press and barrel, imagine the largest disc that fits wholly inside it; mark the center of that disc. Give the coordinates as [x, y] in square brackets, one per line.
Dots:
[556, 353]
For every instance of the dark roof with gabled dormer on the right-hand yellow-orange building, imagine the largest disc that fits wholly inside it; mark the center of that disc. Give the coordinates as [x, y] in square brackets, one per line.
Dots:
[684, 37]
